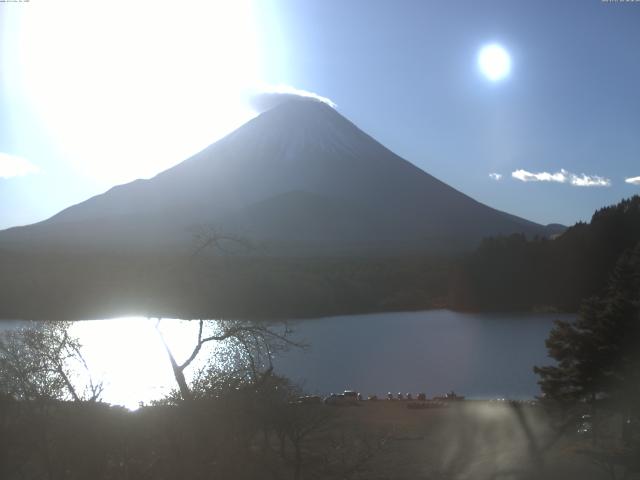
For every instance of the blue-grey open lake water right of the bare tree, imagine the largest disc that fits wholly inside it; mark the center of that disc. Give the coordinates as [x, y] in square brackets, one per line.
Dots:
[478, 355]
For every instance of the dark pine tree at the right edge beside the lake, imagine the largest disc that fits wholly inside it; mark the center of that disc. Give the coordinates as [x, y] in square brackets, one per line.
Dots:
[598, 355]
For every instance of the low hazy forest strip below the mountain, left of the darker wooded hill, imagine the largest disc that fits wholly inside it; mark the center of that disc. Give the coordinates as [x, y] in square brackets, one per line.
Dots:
[215, 285]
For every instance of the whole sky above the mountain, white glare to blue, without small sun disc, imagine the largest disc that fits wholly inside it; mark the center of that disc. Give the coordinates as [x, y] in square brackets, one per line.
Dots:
[93, 94]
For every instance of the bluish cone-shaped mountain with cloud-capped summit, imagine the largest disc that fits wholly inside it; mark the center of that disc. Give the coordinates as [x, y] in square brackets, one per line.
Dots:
[299, 178]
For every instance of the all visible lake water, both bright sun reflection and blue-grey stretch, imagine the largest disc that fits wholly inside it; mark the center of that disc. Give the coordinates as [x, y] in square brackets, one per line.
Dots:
[477, 355]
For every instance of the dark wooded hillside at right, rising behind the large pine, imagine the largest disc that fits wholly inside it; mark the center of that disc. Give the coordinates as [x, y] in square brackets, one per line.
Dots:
[514, 273]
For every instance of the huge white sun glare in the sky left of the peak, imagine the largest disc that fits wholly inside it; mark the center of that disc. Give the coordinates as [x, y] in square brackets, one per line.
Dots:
[128, 90]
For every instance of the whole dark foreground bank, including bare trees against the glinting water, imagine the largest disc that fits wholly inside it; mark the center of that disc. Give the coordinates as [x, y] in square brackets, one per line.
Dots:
[246, 422]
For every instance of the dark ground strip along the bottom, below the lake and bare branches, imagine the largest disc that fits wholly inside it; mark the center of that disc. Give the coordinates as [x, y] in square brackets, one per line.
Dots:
[244, 436]
